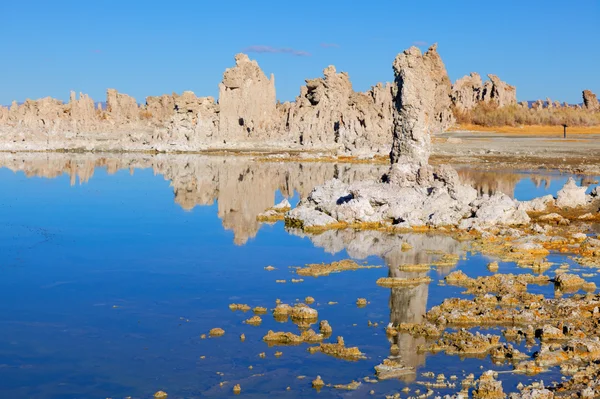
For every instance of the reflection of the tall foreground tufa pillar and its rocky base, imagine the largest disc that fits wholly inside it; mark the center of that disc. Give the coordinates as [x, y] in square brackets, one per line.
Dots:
[407, 304]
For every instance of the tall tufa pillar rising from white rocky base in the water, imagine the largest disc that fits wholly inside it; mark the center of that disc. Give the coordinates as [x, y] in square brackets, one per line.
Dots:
[414, 194]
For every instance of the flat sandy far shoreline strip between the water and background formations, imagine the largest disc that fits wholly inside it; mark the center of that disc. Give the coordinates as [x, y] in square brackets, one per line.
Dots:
[481, 150]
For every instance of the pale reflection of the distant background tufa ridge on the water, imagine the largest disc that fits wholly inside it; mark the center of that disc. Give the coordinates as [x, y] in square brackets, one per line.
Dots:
[242, 187]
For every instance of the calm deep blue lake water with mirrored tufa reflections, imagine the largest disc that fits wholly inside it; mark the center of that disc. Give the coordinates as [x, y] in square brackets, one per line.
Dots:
[111, 267]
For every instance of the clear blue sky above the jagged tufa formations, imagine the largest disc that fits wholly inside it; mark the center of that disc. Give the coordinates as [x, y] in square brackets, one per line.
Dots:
[545, 48]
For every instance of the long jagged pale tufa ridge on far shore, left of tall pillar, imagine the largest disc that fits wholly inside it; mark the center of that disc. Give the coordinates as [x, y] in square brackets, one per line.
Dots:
[327, 115]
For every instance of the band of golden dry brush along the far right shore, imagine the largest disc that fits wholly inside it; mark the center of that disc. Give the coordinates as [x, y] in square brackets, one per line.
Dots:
[489, 116]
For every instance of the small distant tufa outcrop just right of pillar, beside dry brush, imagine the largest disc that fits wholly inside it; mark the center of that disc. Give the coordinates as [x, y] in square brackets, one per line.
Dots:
[469, 91]
